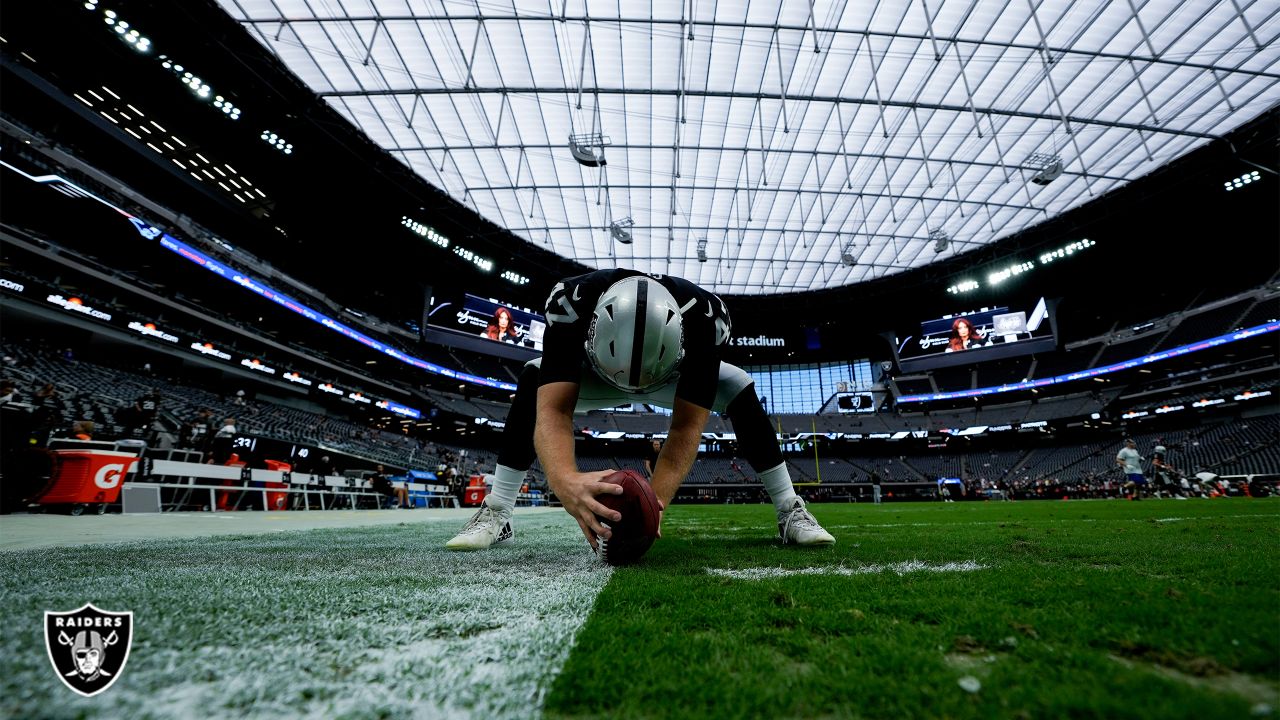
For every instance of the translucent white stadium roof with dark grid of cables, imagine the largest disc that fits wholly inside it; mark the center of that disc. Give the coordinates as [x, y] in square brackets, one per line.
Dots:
[808, 145]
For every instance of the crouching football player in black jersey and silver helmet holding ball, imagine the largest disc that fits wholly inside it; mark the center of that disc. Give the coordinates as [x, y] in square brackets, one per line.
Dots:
[616, 338]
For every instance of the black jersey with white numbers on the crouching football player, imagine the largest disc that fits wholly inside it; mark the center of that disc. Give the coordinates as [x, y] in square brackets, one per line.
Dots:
[705, 322]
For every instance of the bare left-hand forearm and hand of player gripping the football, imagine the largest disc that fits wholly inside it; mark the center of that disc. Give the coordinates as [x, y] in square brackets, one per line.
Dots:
[554, 439]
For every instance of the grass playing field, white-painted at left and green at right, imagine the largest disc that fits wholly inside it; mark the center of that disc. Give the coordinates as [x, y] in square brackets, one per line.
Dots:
[1155, 609]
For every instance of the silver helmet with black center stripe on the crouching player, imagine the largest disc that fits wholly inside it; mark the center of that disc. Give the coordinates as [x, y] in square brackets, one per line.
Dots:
[636, 341]
